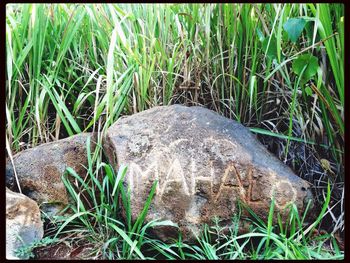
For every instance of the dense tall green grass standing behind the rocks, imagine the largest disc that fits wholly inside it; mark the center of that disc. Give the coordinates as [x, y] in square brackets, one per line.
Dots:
[57, 54]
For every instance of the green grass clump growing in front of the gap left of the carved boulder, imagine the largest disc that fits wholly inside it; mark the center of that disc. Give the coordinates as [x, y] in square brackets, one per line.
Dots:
[96, 211]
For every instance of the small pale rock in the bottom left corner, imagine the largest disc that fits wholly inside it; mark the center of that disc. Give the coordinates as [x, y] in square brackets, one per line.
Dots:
[23, 222]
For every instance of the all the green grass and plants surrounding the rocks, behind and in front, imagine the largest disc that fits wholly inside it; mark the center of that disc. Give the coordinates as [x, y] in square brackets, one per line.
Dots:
[276, 68]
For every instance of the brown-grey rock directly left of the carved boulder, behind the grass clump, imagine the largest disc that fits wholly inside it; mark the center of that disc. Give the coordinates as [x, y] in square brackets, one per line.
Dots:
[40, 169]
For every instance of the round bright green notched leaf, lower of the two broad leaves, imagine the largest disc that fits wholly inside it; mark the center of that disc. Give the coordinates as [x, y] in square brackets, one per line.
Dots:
[311, 63]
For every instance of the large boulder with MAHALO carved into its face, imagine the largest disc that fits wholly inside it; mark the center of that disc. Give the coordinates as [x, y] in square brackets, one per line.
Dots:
[203, 163]
